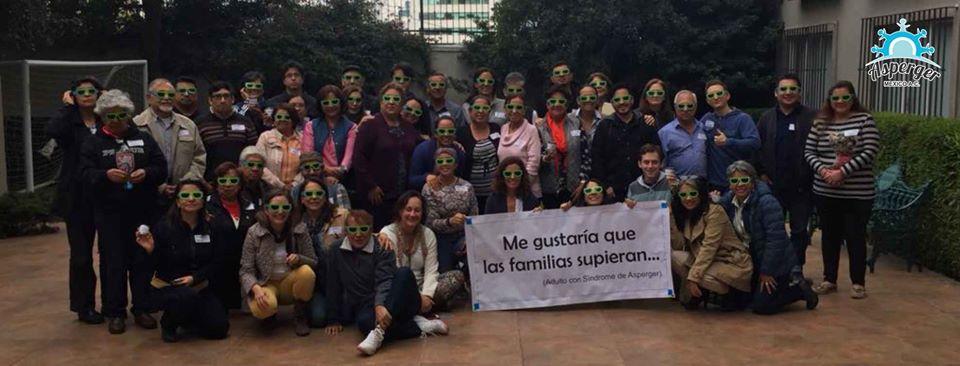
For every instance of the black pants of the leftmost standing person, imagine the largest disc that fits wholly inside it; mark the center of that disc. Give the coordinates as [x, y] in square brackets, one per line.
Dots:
[83, 280]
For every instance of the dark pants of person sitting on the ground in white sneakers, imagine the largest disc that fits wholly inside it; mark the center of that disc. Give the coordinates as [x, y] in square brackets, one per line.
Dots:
[403, 303]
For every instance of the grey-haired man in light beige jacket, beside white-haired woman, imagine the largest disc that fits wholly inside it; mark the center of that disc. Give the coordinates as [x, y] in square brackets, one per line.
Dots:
[177, 136]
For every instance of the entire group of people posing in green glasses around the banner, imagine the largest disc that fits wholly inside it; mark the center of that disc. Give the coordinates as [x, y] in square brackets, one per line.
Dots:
[352, 207]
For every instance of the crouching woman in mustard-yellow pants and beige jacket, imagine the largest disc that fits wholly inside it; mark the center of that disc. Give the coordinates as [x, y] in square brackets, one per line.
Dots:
[276, 265]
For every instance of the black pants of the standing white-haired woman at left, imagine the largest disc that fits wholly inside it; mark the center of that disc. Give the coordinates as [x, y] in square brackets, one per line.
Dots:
[122, 260]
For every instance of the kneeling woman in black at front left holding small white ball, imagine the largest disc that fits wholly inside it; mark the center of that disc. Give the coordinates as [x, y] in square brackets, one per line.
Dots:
[186, 256]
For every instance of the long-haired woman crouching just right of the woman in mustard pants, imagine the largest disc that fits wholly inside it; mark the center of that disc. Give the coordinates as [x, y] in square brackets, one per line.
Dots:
[325, 223]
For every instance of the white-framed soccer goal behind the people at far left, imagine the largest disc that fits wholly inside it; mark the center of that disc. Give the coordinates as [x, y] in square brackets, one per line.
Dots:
[32, 93]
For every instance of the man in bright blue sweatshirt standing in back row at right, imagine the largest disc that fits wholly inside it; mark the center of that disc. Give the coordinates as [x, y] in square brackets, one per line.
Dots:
[731, 135]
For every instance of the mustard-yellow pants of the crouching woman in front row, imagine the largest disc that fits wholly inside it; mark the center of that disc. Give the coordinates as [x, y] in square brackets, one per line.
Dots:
[297, 286]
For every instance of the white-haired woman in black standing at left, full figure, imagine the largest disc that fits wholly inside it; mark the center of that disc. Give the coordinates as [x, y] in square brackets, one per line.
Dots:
[121, 168]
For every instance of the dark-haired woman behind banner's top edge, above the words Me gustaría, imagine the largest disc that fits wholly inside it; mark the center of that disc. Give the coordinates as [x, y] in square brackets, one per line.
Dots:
[511, 189]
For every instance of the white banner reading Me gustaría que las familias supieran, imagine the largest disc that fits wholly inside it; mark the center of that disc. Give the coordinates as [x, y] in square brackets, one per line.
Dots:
[589, 254]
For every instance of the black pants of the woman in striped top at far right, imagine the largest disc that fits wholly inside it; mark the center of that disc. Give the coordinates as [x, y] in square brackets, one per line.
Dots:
[844, 221]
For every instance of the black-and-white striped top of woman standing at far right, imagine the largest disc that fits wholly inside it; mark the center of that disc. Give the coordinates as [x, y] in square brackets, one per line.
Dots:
[859, 181]
